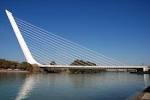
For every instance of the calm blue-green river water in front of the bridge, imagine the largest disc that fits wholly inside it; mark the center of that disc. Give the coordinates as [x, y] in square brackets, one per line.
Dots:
[101, 86]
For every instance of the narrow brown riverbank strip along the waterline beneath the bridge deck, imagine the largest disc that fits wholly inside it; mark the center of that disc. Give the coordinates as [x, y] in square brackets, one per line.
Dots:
[37, 69]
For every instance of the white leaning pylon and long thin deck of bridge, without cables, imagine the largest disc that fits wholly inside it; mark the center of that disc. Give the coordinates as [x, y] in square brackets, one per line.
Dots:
[31, 60]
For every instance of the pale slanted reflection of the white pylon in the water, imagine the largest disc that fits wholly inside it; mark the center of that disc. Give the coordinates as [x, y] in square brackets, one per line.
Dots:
[26, 88]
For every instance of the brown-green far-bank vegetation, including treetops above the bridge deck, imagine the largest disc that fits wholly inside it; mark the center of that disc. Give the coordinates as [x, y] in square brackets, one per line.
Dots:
[14, 66]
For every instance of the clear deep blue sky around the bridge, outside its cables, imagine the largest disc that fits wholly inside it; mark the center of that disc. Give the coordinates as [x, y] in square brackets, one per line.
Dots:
[117, 28]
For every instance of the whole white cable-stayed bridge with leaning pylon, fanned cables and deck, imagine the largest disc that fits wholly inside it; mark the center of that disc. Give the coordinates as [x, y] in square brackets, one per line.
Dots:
[40, 47]
